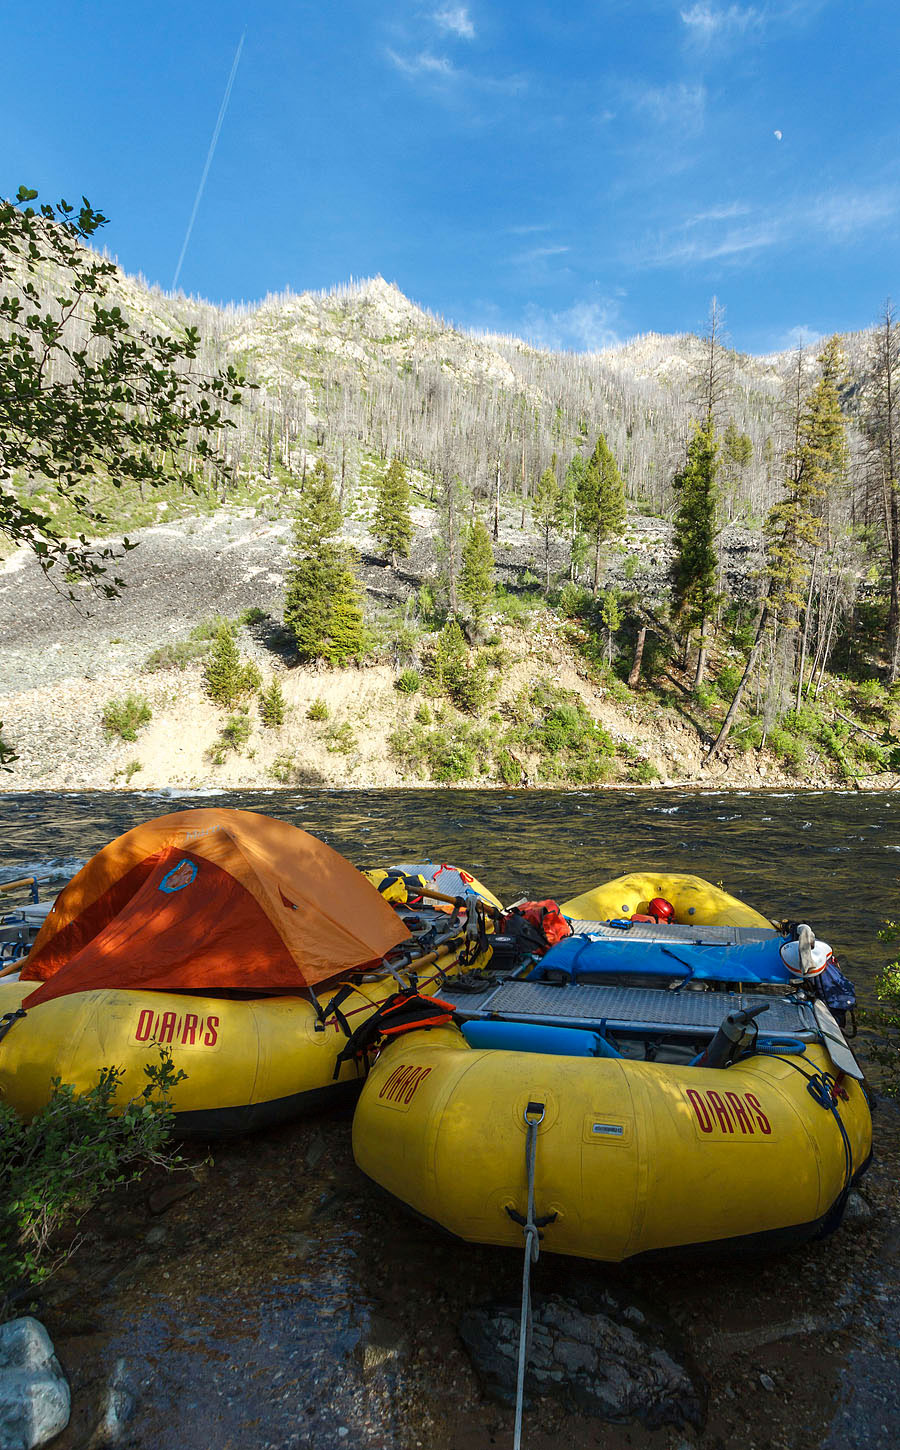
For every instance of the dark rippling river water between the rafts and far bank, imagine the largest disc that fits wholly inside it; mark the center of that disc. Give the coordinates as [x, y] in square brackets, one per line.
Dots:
[830, 858]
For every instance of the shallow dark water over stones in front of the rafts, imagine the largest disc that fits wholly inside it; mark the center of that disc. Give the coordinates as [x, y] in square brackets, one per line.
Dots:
[275, 1300]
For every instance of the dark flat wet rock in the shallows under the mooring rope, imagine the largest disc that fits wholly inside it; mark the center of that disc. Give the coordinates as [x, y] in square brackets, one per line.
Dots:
[586, 1358]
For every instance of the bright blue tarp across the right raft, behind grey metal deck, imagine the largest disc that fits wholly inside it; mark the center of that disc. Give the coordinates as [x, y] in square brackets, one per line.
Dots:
[750, 962]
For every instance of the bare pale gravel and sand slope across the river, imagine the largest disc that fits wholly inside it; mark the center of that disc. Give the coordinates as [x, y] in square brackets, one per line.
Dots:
[62, 663]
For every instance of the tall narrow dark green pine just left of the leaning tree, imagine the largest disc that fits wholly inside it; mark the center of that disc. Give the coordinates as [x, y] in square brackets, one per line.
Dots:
[696, 568]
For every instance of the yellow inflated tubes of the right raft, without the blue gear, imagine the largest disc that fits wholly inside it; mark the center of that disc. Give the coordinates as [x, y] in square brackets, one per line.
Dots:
[633, 1156]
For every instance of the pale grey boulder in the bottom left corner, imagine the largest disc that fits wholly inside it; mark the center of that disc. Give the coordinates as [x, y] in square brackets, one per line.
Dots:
[36, 1399]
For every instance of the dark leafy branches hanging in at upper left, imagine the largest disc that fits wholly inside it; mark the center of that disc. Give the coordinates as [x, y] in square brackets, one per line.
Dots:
[85, 397]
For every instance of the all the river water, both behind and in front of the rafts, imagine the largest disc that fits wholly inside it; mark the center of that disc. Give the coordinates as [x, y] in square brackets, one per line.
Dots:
[273, 1300]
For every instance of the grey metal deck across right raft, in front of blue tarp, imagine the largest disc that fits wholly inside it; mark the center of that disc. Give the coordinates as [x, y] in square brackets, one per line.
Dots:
[633, 1010]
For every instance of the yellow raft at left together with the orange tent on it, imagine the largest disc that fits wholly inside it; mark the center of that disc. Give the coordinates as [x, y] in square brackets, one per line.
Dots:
[247, 949]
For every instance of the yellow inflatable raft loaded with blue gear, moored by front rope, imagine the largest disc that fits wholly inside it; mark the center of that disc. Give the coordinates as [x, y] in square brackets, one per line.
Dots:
[650, 1084]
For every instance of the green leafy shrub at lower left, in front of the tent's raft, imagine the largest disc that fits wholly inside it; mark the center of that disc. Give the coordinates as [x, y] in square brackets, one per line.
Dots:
[73, 1152]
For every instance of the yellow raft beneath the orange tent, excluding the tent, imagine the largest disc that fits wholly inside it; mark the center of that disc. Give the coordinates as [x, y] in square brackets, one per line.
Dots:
[249, 1062]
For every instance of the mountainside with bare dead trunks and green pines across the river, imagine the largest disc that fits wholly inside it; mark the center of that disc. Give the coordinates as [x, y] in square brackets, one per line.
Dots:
[714, 533]
